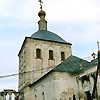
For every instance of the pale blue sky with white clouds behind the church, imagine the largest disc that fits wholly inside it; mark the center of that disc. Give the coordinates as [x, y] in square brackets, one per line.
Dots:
[76, 21]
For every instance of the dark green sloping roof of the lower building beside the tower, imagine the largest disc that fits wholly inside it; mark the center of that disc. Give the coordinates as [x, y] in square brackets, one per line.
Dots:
[72, 64]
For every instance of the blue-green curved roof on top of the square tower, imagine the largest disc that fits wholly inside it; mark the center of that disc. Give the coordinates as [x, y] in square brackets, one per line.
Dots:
[47, 35]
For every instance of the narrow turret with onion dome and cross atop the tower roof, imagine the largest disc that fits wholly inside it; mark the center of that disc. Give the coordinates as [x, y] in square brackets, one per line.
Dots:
[42, 23]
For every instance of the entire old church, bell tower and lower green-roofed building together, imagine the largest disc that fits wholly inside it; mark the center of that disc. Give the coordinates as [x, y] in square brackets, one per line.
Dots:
[49, 71]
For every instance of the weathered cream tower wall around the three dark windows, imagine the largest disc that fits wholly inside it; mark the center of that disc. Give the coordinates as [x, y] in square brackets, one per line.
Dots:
[36, 67]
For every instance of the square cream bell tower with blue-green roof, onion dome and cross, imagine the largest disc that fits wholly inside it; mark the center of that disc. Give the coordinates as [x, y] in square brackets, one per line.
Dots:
[39, 53]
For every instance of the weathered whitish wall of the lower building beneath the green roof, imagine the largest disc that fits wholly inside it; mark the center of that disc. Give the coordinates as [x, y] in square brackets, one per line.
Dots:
[55, 86]
